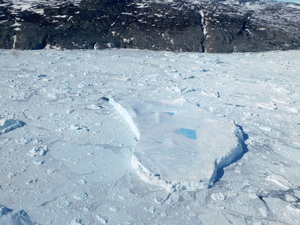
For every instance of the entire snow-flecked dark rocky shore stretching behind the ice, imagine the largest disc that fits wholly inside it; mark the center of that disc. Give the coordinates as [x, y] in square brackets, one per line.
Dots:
[177, 26]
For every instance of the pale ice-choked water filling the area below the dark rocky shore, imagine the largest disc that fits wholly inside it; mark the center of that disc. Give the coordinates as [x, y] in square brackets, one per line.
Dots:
[71, 123]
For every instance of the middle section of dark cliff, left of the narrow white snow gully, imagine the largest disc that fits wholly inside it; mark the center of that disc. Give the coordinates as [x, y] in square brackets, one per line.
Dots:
[118, 24]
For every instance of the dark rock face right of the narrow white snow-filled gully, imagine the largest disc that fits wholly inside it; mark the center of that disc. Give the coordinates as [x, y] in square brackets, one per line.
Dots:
[231, 31]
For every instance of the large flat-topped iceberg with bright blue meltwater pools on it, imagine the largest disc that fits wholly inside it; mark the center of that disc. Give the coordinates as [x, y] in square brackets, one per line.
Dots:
[180, 146]
